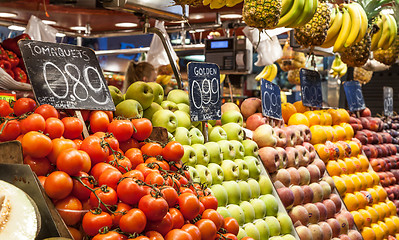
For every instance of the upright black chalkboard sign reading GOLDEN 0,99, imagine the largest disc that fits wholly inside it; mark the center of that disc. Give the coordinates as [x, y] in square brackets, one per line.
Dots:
[204, 91]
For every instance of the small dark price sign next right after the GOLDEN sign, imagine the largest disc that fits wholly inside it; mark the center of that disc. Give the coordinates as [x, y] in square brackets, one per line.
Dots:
[271, 99]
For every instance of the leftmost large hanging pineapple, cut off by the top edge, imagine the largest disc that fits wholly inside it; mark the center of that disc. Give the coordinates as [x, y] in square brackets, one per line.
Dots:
[263, 14]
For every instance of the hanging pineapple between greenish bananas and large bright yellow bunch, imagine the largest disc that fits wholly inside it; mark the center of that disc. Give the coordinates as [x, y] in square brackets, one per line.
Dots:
[314, 32]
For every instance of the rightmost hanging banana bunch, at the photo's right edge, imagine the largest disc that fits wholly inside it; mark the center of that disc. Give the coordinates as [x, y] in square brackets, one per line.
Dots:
[386, 34]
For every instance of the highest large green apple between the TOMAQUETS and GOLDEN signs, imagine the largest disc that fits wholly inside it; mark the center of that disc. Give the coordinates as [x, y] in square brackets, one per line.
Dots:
[141, 92]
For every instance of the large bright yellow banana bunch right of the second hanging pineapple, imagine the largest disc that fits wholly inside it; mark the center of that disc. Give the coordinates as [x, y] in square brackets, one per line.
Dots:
[348, 26]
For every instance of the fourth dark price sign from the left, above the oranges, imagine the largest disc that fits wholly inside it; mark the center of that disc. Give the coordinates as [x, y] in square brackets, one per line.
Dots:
[311, 88]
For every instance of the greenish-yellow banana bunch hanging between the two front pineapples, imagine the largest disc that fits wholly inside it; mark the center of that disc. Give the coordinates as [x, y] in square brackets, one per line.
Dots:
[296, 13]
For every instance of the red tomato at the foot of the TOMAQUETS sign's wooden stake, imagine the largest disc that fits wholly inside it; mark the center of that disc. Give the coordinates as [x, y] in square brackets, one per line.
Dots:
[92, 145]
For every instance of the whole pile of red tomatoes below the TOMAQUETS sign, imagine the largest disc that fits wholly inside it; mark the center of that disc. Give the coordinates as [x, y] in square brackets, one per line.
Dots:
[126, 185]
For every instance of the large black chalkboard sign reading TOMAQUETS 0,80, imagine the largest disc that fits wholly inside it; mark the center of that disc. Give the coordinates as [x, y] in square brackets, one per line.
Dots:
[66, 76]
